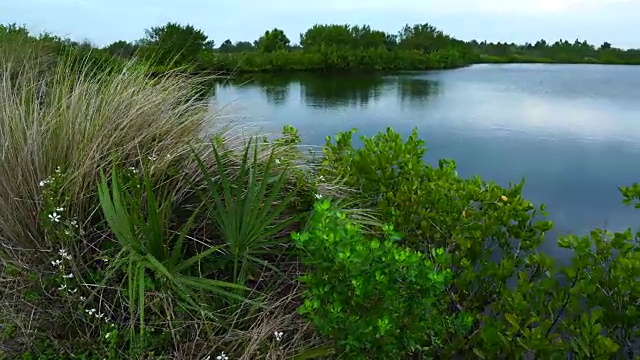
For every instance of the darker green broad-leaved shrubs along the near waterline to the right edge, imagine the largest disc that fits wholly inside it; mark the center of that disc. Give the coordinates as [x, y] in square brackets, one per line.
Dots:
[587, 309]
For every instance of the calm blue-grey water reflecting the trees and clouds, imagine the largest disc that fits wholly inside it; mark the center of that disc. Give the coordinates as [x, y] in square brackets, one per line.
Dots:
[573, 131]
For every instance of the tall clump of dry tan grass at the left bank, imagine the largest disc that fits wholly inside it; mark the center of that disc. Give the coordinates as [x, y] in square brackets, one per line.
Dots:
[78, 120]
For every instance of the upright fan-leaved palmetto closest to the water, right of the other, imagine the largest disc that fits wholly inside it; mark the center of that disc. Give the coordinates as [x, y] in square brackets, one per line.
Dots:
[250, 208]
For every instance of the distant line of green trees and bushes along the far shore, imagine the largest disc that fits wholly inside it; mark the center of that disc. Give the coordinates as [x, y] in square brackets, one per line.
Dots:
[336, 48]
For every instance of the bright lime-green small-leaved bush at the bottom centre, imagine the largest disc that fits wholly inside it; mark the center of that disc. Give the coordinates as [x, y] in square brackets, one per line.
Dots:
[375, 298]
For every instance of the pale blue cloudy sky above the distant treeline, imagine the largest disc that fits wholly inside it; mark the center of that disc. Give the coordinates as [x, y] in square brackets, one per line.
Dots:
[520, 21]
